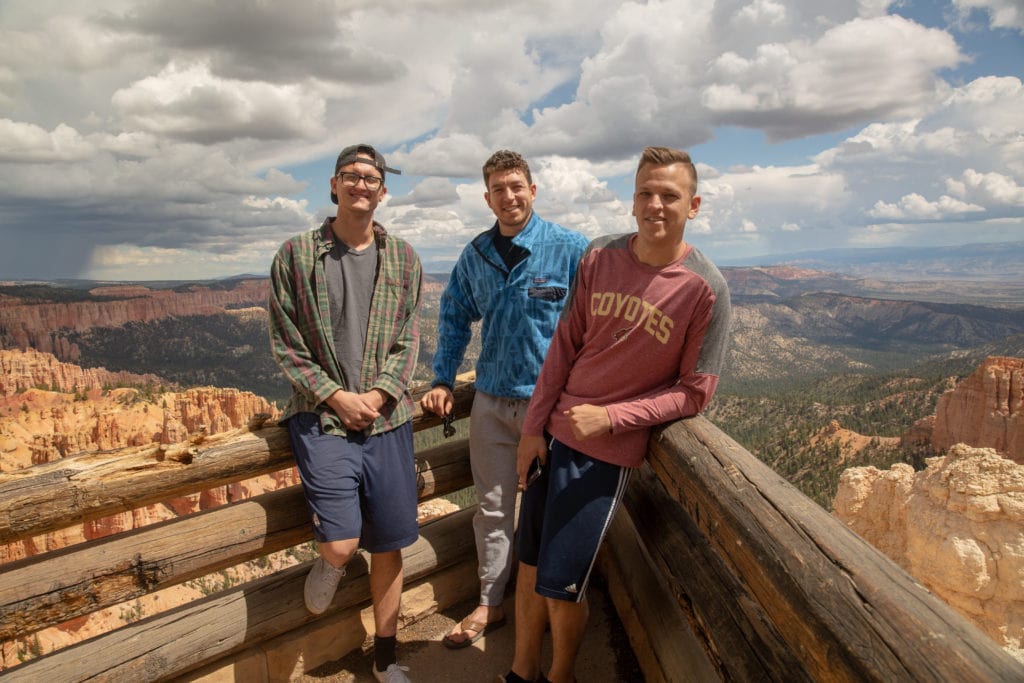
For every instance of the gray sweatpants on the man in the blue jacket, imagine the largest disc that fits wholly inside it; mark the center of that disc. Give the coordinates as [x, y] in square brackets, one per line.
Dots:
[494, 436]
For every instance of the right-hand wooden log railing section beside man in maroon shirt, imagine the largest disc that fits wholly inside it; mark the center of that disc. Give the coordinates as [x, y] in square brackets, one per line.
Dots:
[770, 585]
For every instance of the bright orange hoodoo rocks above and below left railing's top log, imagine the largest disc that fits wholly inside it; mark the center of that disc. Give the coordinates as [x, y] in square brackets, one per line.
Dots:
[39, 426]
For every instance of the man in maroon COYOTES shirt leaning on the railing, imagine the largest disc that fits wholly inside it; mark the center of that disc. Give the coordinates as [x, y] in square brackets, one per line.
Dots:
[644, 295]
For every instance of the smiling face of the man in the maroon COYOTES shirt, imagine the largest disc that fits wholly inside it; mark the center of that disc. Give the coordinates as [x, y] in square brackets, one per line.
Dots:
[663, 202]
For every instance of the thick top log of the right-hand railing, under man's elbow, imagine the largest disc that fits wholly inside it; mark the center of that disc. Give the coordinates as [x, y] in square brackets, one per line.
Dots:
[845, 611]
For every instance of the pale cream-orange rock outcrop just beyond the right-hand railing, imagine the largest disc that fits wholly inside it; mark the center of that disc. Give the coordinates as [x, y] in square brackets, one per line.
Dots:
[958, 528]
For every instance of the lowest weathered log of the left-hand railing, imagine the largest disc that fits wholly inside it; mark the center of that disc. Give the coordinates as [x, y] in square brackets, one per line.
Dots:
[182, 639]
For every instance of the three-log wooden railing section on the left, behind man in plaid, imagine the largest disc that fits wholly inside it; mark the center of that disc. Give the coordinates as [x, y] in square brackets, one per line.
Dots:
[53, 588]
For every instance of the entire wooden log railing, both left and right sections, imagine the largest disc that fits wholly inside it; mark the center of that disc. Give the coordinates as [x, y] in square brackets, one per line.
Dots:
[718, 568]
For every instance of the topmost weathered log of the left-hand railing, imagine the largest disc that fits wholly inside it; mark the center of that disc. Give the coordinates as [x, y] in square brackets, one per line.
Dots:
[73, 491]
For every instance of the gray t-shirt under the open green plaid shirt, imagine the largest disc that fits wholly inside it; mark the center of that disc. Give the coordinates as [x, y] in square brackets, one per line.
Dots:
[351, 277]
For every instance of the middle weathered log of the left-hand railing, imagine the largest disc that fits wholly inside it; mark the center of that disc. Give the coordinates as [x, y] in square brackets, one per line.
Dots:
[51, 589]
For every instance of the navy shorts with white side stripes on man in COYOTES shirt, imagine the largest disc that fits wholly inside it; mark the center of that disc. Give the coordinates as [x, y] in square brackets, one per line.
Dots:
[564, 518]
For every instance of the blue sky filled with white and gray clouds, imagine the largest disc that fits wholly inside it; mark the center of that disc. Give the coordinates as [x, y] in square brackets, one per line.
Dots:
[188, 139]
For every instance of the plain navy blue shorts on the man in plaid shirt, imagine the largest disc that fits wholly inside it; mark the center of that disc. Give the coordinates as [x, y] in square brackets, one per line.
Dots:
[358, 487]
